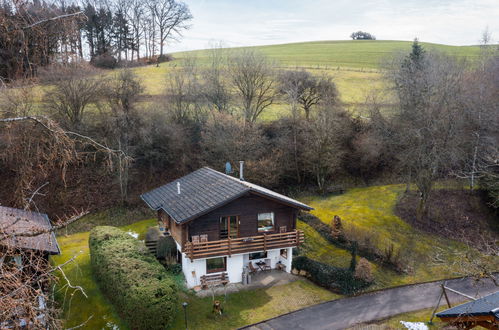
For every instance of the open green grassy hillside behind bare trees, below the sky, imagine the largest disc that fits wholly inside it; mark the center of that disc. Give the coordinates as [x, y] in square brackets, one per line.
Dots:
[356, 66]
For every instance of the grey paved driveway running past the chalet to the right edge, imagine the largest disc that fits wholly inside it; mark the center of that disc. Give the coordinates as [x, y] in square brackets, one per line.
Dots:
[343, 313]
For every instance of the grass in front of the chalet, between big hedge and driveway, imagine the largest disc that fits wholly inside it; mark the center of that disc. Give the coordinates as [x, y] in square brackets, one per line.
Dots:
[246, 307]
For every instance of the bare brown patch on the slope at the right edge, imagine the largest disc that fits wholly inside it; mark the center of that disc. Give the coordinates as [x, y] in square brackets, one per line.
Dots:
[456, 214]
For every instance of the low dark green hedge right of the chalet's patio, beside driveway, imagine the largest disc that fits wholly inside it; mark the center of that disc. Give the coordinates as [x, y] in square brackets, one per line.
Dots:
[340, 280]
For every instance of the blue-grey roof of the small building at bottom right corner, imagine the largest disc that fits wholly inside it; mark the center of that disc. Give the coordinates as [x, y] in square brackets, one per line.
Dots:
[488, 305]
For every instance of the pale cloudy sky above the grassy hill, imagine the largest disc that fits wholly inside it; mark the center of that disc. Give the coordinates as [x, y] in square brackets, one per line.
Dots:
[259, 22]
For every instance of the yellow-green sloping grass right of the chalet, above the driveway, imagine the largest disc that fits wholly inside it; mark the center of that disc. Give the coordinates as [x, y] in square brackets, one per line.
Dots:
[371, 210]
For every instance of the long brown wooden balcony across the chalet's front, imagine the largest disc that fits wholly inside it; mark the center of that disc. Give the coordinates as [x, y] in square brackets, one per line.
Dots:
[230, 246]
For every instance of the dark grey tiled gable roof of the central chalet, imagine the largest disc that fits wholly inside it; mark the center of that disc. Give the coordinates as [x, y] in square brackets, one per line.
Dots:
[203, 191]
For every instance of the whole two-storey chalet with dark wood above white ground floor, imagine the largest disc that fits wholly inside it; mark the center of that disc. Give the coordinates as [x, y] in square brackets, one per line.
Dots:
[221, 224]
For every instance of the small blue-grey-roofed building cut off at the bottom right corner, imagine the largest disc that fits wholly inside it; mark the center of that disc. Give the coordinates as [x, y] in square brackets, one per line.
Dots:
[482, 312]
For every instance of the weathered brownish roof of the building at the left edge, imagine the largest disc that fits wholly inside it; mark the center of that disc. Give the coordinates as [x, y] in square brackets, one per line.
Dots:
[15, 221]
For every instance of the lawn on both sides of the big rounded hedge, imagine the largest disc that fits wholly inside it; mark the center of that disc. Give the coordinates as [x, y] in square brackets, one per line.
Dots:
[240, 308]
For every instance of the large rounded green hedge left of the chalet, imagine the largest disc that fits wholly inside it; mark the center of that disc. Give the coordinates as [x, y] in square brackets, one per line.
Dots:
[142, 291]
